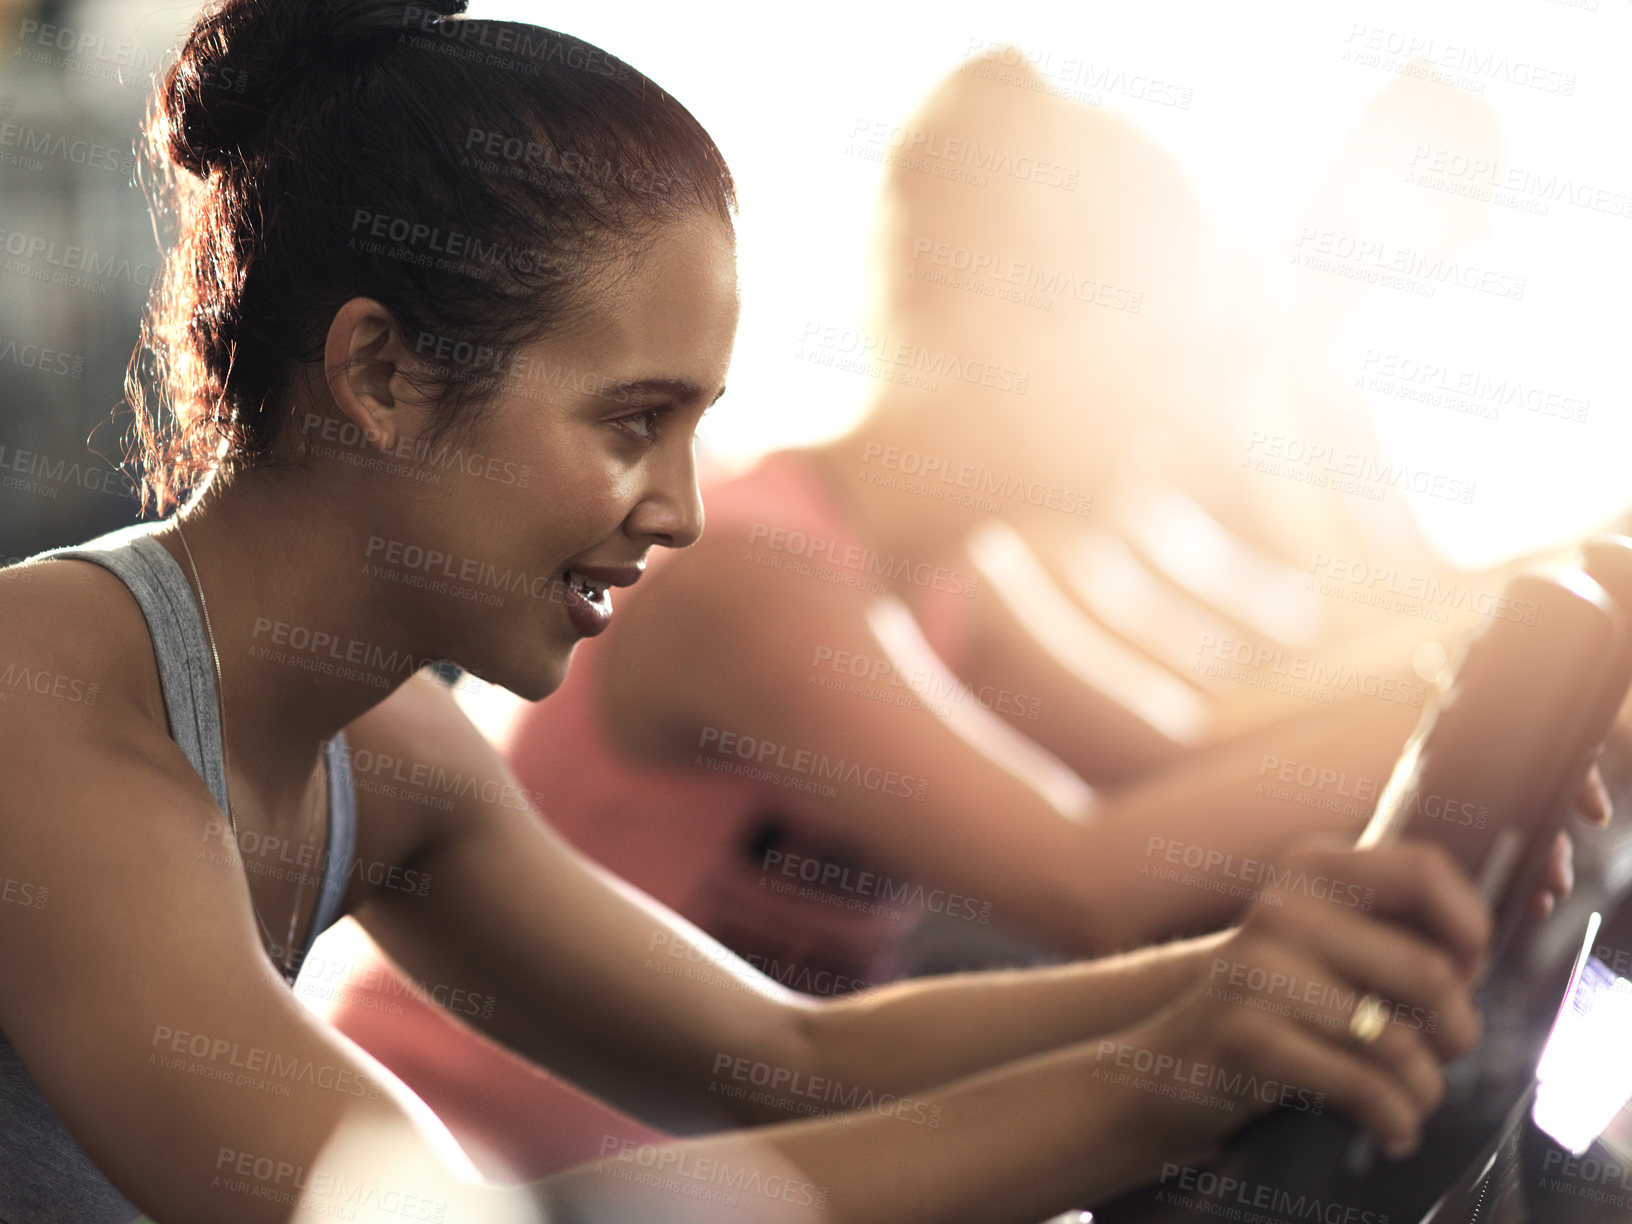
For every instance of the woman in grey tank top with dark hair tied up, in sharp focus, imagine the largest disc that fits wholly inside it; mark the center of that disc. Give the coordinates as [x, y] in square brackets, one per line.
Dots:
[384, 208]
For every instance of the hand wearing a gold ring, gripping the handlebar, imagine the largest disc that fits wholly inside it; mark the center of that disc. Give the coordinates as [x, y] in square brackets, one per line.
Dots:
[1274, 1021]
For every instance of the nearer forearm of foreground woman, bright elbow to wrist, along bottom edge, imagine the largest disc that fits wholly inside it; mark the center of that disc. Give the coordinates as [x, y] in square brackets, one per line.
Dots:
[1009, 1146]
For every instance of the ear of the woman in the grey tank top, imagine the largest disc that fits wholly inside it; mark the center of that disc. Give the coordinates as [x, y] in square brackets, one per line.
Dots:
[370, 371]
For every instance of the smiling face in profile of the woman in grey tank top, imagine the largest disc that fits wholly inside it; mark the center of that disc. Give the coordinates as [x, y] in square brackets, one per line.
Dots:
[593, 435]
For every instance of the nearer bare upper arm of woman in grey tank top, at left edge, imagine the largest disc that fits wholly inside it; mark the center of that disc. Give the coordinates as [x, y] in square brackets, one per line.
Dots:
[138, 993]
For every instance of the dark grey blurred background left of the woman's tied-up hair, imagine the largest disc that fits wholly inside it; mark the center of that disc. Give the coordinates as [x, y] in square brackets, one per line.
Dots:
[78, 257]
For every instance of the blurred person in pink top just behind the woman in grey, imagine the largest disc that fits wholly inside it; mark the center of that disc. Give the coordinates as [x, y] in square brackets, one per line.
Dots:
[690, 748]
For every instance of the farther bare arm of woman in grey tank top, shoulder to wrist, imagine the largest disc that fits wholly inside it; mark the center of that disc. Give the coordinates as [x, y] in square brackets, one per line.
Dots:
[559, 938]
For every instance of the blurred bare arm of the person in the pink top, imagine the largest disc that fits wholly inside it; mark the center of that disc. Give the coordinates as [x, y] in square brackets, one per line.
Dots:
[722, 647]
